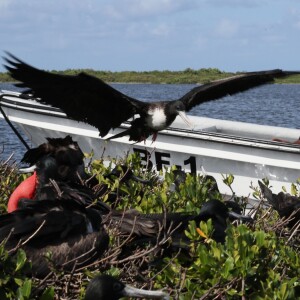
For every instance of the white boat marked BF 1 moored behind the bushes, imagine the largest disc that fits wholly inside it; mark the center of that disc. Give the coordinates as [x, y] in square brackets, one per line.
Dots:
[214, 146]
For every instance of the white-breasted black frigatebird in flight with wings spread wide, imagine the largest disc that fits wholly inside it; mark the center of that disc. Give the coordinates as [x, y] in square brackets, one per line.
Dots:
[89, 99]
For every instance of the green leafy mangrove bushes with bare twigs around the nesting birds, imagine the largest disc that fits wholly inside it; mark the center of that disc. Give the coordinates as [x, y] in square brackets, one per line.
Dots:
[257, 261]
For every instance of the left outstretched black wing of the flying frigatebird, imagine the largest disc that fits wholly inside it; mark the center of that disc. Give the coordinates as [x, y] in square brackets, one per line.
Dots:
[82, 97]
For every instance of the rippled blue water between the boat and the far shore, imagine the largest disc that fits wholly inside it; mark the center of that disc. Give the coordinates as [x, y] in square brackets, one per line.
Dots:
[275, 104]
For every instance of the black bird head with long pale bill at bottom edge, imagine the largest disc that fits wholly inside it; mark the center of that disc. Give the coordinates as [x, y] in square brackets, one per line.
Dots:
[105, 287]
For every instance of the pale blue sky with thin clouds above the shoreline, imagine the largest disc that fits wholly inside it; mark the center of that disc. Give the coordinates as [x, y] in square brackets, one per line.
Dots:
[145, 35]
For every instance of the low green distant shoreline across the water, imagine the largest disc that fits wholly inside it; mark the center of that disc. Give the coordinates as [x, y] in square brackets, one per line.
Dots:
[187, 76]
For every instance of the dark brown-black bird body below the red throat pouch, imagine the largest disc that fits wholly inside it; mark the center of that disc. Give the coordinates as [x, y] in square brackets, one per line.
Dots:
[72, 234]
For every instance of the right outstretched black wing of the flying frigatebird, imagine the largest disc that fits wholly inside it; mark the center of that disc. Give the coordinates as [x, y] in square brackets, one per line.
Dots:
[229, 86]
